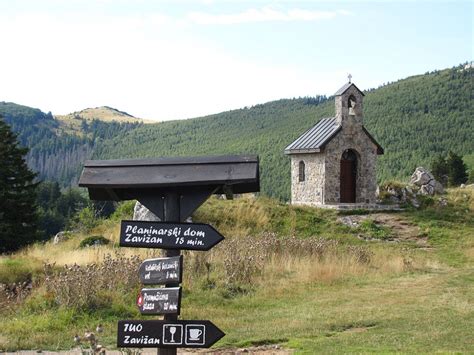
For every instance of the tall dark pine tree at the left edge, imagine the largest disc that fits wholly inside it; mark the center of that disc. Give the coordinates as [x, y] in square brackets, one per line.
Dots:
[18, 216]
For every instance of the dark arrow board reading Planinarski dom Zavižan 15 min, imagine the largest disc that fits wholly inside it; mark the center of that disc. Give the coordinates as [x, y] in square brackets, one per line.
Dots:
[189, 236]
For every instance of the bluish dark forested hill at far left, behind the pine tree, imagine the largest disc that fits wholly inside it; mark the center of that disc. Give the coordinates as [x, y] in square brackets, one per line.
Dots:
[58, 148]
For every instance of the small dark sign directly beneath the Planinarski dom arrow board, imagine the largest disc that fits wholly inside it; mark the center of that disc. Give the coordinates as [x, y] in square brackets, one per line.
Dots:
[160, 271]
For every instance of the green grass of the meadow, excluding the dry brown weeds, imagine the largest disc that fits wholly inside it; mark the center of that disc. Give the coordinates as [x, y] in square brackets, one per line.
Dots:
[406, 299]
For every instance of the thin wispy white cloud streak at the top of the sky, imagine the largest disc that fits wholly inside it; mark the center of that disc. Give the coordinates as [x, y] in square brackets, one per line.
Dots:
[265, 14]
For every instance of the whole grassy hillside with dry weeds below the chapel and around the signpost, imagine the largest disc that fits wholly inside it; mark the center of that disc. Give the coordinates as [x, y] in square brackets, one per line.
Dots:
[397, 282]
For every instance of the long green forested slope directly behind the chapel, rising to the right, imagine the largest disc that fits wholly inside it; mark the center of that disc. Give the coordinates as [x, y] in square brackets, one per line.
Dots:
[413, 119]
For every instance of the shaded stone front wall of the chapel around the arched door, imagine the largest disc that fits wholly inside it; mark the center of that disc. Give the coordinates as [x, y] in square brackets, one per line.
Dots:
[354, 138]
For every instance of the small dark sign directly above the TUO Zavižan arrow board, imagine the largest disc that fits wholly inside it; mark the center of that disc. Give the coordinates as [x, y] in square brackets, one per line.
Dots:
[159, 300]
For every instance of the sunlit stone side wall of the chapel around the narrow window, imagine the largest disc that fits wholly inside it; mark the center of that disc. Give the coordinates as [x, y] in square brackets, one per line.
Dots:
[310, 191]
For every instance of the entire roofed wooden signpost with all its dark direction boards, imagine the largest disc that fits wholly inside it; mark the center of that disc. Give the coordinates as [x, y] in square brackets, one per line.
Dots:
[171, 188]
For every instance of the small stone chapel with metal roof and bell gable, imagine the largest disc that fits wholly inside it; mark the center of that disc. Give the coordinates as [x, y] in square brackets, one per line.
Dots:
[333, 162]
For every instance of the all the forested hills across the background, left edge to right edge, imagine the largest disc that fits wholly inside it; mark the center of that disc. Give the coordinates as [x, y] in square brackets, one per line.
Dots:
[413, 119]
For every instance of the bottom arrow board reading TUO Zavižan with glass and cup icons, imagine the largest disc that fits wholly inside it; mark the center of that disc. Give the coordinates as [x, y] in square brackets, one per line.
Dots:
[167, 334]
